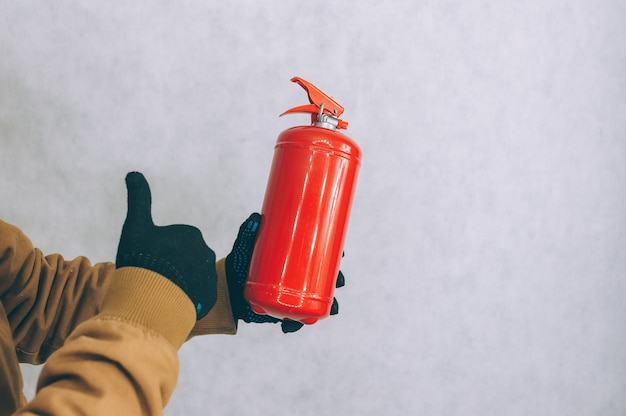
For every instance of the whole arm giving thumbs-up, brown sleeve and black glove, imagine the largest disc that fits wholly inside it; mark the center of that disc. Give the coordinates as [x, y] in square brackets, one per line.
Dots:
[125, 357]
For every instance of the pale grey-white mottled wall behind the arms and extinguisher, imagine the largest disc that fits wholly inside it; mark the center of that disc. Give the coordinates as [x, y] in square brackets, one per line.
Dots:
[486, 254]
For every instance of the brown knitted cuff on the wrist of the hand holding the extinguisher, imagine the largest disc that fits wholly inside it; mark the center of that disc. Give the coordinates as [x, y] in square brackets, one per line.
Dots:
[220, 319]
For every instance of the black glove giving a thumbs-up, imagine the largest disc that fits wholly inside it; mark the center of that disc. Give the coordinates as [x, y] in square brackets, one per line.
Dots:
[177, 252]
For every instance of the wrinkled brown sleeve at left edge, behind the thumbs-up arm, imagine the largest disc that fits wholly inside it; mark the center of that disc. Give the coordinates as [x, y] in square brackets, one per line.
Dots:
[45, 297]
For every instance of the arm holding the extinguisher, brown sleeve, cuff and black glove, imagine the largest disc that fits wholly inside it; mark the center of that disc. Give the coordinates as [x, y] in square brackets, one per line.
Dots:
[77, 287]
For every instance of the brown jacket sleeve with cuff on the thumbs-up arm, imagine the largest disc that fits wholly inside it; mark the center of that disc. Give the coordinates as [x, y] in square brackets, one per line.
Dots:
[124, 360]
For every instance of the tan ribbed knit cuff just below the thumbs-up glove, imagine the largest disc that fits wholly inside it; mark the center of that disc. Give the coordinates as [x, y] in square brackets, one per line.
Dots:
[144, 297]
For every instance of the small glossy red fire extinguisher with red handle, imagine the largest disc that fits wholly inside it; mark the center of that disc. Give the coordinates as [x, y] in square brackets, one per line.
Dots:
[305, 212]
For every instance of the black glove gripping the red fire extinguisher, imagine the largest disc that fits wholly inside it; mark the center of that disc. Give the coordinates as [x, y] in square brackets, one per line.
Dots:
[237, 266]
